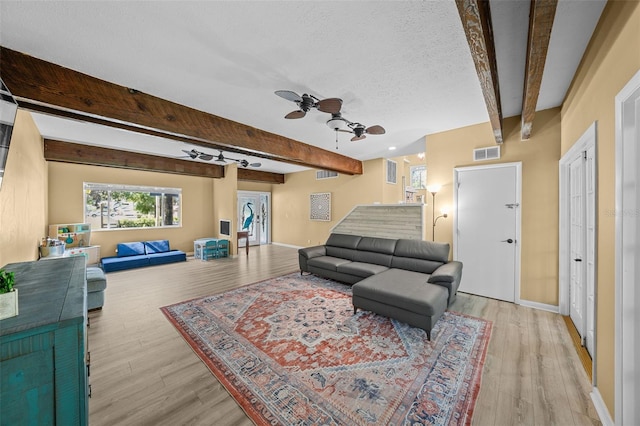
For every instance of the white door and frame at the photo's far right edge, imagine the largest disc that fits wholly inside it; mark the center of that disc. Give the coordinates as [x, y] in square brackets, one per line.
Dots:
[627, 212]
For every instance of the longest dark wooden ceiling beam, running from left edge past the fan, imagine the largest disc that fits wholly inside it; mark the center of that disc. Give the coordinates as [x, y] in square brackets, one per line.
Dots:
[61, 89]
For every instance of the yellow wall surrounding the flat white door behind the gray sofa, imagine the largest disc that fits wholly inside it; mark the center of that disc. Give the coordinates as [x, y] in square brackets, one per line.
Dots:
[539, 209]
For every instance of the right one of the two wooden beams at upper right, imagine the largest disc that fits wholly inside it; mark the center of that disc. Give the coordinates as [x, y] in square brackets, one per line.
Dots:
[541, 16]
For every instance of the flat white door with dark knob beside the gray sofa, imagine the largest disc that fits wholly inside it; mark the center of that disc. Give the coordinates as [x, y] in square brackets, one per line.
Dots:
[487, 224]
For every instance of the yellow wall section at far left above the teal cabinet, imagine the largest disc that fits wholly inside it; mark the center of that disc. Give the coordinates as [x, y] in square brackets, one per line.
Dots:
[23, 195]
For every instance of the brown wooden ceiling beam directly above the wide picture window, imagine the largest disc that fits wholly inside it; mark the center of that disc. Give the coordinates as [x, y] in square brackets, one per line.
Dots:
[67, 152]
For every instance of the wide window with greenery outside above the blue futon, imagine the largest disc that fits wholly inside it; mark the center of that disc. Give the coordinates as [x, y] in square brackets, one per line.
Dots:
[109, 206]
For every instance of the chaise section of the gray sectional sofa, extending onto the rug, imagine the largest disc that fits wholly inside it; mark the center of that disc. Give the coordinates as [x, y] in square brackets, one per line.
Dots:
[414, 301]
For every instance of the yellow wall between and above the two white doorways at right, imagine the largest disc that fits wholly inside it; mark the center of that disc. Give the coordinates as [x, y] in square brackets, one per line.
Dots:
[612, 58]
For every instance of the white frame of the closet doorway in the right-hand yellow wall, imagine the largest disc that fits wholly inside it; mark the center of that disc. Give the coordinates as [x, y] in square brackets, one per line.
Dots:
[584, 143]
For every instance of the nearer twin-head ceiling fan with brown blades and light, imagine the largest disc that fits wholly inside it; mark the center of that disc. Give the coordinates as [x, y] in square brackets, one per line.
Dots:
[332, 106]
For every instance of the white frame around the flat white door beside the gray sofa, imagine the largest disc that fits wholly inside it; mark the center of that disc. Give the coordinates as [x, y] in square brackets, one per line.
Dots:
[518, 236]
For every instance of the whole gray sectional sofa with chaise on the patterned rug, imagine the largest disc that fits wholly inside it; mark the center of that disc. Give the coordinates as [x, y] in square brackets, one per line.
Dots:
[409, 280]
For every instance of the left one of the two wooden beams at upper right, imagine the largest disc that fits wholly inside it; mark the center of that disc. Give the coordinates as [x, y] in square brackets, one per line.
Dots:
[476, 21]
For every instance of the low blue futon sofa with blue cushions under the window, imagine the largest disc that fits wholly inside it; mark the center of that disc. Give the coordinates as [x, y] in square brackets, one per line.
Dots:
[143, 253]
